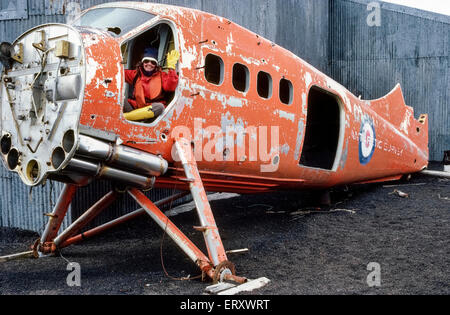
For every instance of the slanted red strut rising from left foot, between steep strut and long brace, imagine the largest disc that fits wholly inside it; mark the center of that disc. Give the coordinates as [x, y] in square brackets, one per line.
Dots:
[87, 217]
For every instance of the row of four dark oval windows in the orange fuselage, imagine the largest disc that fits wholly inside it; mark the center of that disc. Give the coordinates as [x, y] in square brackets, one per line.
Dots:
[214, 73]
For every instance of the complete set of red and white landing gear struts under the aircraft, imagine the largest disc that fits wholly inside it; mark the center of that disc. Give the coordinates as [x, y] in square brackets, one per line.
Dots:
[214, 266]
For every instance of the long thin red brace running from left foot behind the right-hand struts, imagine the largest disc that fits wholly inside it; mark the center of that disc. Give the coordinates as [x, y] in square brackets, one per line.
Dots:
[115, 222]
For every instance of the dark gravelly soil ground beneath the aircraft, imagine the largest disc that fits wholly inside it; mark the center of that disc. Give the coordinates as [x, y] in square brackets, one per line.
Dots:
[301, 247]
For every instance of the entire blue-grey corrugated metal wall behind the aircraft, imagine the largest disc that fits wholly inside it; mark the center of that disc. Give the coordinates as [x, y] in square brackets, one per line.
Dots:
[410, 47]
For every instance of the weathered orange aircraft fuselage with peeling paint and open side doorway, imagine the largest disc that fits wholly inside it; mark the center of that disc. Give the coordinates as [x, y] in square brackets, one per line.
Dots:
[301, 128]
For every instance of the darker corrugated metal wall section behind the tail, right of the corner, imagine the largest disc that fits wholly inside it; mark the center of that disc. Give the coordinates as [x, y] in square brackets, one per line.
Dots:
[410, 47]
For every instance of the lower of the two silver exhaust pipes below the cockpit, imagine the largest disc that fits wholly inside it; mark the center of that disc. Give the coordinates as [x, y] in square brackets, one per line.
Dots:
[110, 173]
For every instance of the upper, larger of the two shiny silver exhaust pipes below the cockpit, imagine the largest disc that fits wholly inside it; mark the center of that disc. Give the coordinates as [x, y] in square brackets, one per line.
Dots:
[122, 156]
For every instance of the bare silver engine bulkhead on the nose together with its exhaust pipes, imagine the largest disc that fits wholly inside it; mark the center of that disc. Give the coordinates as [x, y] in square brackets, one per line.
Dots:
[42, 97]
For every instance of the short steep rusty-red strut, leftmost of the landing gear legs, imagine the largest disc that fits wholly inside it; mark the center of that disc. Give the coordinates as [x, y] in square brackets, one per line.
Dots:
[58, 214]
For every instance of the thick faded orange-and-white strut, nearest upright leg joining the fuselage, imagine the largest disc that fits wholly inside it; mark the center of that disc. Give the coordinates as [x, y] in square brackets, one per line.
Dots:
[208, 226]
